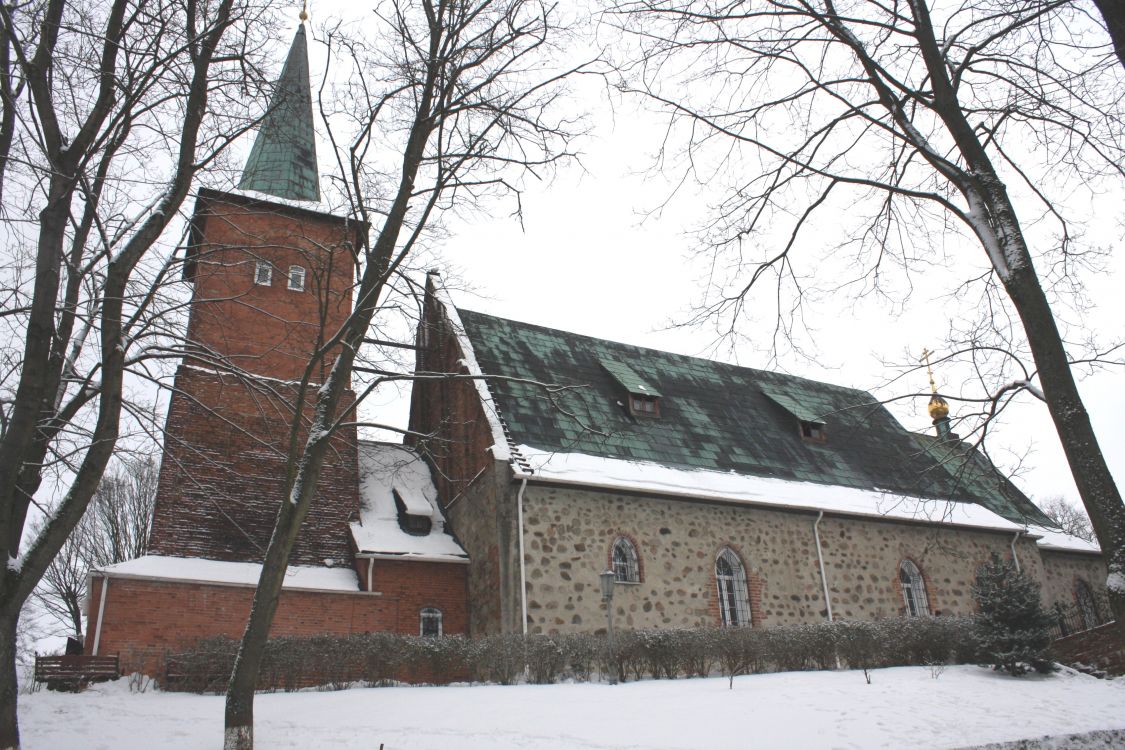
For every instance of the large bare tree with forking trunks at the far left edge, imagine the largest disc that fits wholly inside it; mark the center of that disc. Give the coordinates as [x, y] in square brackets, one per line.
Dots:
[110, 113]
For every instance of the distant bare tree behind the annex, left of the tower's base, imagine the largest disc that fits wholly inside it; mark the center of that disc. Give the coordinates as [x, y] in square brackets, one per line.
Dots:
[114, 529]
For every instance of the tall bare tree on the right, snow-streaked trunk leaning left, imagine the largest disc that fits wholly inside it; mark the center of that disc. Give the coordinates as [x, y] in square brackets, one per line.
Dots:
[916, 128]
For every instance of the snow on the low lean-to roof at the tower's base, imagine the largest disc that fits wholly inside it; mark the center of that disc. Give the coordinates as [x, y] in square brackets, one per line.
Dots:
[232, 574]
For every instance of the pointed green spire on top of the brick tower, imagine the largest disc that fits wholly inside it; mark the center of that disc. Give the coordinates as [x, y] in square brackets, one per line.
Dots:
[283, 162]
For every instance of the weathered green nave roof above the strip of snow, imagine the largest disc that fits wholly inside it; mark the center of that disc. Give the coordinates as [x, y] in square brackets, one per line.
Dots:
[716, 417]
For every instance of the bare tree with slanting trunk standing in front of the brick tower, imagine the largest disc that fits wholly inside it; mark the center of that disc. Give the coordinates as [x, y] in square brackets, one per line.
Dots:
[446, 102]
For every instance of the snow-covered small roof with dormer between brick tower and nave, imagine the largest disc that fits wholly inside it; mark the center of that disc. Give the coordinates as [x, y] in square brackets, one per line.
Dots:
[385, 471]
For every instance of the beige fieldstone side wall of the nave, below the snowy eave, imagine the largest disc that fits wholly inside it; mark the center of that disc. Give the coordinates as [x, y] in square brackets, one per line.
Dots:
[570, 532]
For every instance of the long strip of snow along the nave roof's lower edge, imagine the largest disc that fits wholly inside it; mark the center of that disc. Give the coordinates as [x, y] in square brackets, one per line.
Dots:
[656, 478]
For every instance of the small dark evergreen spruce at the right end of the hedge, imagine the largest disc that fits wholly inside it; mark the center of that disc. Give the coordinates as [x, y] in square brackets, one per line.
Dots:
[1013, 629]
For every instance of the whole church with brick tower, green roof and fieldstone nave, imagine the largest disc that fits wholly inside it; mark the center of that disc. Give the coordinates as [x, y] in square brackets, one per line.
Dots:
[718, 495]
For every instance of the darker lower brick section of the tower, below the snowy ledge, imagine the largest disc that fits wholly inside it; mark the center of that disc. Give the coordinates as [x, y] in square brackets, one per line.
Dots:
[223, 475]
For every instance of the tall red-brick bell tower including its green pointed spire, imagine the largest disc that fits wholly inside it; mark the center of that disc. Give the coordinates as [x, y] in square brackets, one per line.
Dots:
[272, 281]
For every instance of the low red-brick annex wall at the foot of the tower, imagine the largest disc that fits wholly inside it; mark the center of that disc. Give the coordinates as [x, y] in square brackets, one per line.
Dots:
[145, 620]
